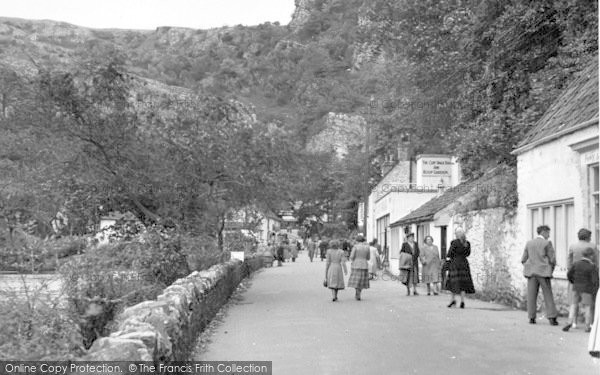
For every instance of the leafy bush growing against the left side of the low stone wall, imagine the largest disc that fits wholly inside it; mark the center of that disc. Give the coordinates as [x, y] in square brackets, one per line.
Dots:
[106, 279]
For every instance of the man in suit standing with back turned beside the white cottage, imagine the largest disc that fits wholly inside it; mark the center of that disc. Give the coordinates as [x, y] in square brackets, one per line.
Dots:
[539, 260]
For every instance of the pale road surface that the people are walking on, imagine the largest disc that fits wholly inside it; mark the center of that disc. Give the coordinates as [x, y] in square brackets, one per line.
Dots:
[287, 316]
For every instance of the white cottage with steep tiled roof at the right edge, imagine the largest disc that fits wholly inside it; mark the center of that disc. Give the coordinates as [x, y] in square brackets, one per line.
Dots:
[557, 168]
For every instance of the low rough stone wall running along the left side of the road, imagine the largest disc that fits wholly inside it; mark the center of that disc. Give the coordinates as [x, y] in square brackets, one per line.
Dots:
[165, 329]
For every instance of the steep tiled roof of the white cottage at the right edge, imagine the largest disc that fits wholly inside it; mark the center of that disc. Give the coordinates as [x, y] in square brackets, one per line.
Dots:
[576, 106]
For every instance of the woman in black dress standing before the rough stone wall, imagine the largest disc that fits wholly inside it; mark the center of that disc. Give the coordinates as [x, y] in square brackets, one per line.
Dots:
[459, 274]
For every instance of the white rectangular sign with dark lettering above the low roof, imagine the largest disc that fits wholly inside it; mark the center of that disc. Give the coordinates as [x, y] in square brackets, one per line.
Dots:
[435, 170]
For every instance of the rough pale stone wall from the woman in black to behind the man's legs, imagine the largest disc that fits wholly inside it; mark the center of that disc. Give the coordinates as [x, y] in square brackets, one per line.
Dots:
[495, 259]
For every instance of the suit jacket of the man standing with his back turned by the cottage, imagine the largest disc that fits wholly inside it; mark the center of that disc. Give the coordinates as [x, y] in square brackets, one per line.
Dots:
[539, 258]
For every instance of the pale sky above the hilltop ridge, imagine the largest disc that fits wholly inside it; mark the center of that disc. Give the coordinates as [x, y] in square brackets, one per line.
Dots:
[149, 14]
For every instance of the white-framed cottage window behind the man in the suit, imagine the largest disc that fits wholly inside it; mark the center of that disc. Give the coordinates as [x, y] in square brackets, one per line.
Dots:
[559, 216]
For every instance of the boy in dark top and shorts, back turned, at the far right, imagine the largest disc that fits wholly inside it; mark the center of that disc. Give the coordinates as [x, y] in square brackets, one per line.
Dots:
[583, 275]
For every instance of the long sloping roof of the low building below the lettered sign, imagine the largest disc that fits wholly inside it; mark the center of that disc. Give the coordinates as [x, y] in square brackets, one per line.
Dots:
[427, 211]
